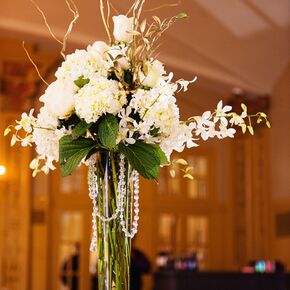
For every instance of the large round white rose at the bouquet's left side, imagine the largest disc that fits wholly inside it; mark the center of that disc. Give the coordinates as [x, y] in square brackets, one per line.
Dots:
[59, 98]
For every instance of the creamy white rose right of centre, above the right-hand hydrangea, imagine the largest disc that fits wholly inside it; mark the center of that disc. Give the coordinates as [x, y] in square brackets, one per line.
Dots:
[153, 74]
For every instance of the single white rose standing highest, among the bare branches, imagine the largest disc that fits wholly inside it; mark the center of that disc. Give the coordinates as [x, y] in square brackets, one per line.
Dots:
[122, 28]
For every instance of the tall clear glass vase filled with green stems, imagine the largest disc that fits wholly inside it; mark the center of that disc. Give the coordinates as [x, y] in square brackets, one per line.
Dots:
[111, 243]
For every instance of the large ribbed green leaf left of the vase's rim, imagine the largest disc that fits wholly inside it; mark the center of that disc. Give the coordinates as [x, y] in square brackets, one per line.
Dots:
[71, 152]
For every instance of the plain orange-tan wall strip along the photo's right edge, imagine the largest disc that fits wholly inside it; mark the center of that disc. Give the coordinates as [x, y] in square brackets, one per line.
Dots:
[280, 162]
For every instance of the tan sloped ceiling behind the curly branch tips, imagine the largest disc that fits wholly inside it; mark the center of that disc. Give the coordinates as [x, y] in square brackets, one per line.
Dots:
[226, 43]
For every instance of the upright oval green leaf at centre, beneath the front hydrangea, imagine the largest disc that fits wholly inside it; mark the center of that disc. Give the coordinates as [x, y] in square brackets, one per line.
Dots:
[108, 130]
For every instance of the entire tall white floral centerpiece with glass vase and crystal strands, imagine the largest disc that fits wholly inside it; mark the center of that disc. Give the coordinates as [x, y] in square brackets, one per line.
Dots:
[113, 108]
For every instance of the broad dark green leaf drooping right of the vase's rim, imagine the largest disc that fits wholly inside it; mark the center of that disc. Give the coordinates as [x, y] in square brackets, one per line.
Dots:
[145, 158]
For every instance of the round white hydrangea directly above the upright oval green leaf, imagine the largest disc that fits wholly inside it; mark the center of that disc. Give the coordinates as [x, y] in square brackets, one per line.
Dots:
[98, 97]
